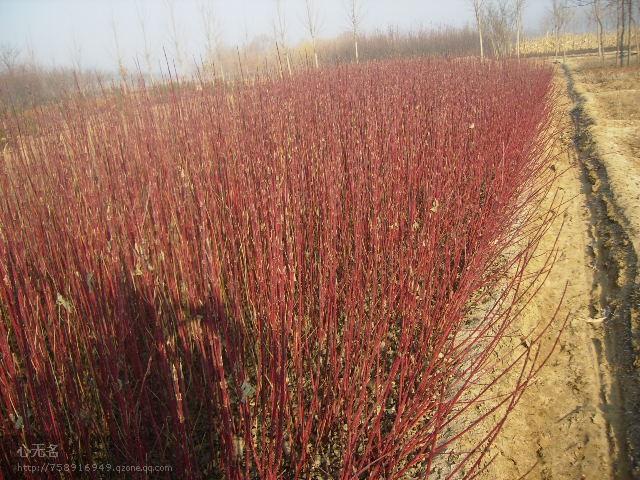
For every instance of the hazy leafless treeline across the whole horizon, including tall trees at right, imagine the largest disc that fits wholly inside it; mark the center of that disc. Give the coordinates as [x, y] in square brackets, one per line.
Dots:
[498, 32]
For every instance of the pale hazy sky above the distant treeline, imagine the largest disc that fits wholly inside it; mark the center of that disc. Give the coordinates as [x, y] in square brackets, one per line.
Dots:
[61, 32]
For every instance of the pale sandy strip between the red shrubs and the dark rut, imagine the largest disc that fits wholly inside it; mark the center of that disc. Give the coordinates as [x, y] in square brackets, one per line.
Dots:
[558, 430]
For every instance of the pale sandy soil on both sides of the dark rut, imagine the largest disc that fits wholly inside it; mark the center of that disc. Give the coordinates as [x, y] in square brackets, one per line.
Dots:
[565, 426]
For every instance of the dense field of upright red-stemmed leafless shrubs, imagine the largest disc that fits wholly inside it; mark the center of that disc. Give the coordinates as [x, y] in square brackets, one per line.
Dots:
[271, 281]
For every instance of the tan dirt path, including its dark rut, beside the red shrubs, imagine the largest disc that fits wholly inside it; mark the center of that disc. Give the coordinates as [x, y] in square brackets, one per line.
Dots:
[581, 418]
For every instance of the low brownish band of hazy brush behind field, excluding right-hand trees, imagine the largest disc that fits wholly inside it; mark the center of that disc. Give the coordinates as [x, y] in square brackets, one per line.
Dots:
[27, 83]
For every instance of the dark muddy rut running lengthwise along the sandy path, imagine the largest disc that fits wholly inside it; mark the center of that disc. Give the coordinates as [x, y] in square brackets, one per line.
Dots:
[615, 297]
